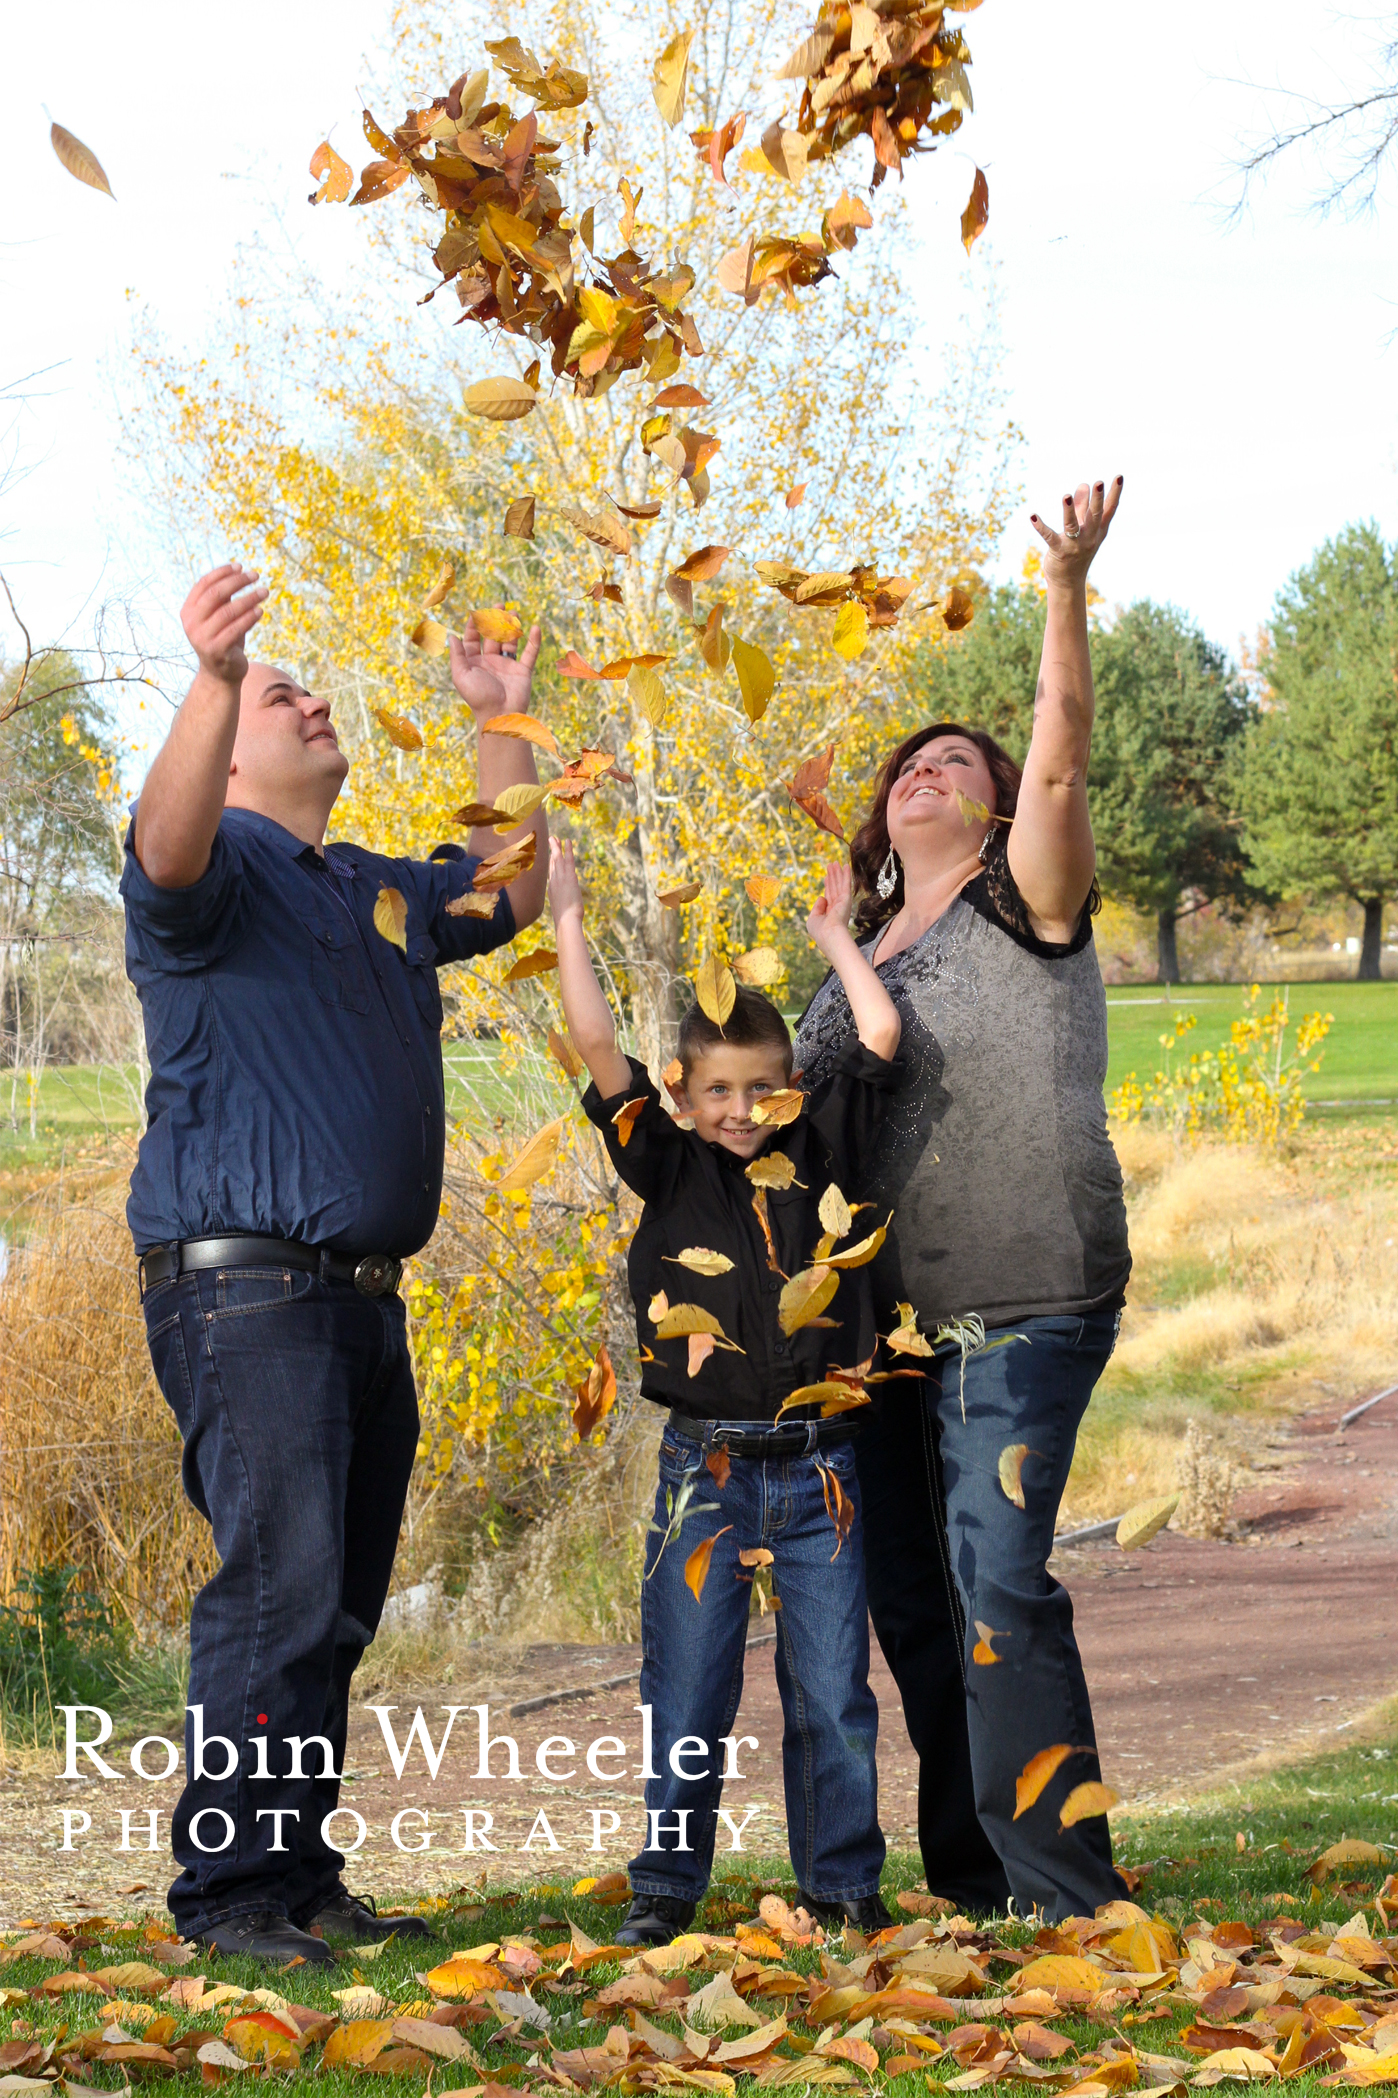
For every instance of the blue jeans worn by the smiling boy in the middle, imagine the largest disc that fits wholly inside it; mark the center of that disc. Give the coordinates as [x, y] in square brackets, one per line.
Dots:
[694, 1669]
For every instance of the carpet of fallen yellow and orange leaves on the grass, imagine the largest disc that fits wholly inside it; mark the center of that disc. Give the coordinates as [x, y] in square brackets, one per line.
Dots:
[769, 1998]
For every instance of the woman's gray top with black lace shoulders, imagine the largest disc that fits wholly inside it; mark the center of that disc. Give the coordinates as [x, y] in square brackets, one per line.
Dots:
[994, 1157]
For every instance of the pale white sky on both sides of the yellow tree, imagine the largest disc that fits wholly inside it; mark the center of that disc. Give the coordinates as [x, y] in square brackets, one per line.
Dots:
[1240, 377]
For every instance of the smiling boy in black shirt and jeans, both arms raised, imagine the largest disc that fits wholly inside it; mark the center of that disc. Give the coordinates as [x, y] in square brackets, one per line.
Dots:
[727, 1470]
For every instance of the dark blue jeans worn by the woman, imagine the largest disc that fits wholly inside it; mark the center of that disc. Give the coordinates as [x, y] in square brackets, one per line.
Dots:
[948, 1547]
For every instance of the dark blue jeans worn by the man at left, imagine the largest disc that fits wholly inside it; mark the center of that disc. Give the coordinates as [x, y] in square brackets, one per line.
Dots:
[297, 1407]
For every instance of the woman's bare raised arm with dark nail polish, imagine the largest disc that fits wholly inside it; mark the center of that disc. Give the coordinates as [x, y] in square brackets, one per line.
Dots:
[1053, 857]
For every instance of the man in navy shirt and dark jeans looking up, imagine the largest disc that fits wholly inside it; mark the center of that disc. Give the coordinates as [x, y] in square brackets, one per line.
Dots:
[293, 1161]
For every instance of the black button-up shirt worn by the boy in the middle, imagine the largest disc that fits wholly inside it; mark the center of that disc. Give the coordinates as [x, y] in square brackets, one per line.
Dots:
[698, 1195]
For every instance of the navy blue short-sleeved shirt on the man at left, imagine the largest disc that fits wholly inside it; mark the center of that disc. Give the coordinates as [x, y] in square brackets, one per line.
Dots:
[297, 1082]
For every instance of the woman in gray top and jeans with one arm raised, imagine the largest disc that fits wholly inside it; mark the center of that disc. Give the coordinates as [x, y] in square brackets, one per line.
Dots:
[977, 905]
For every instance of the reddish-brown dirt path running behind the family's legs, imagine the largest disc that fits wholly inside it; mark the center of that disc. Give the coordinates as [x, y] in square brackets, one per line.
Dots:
[1202, 1656]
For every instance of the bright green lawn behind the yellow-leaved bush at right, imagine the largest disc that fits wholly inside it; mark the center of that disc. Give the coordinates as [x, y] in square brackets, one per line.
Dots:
[1361, 1052]
